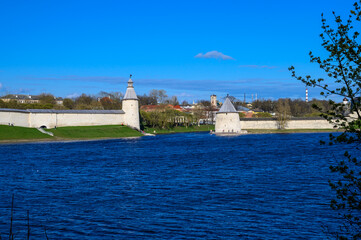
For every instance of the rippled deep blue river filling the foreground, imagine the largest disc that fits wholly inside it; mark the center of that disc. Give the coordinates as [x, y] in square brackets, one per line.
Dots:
[180, 186]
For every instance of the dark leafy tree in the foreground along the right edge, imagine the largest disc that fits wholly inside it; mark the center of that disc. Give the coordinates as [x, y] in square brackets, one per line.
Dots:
[342, 66]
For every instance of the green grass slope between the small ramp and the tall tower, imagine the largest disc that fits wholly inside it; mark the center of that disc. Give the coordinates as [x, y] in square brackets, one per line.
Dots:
[109, 131]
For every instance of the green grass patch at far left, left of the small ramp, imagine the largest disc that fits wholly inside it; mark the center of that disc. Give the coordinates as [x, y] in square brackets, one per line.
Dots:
[18, 133]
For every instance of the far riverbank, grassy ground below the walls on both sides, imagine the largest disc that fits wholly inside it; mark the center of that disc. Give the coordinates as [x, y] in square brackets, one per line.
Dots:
[10, 134]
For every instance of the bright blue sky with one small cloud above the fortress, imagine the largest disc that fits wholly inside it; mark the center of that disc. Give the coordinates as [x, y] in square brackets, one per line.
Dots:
[191, 49]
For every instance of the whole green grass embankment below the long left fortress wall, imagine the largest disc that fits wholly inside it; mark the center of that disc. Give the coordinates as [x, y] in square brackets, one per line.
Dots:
[67, 133]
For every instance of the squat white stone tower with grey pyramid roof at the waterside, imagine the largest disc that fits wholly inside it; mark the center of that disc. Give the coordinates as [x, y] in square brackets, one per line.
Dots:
[227, 119]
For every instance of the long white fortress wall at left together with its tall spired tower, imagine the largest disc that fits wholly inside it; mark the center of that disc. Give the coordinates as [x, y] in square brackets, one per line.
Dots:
[50, 118]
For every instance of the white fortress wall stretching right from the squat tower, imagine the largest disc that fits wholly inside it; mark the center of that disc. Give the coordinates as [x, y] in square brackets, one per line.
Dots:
[302, 123]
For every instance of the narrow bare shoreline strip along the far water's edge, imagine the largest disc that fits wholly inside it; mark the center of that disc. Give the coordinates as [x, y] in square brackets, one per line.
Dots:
[251, 131]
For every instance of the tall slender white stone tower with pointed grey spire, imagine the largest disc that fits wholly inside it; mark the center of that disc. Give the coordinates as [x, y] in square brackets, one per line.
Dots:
[131, 106]
